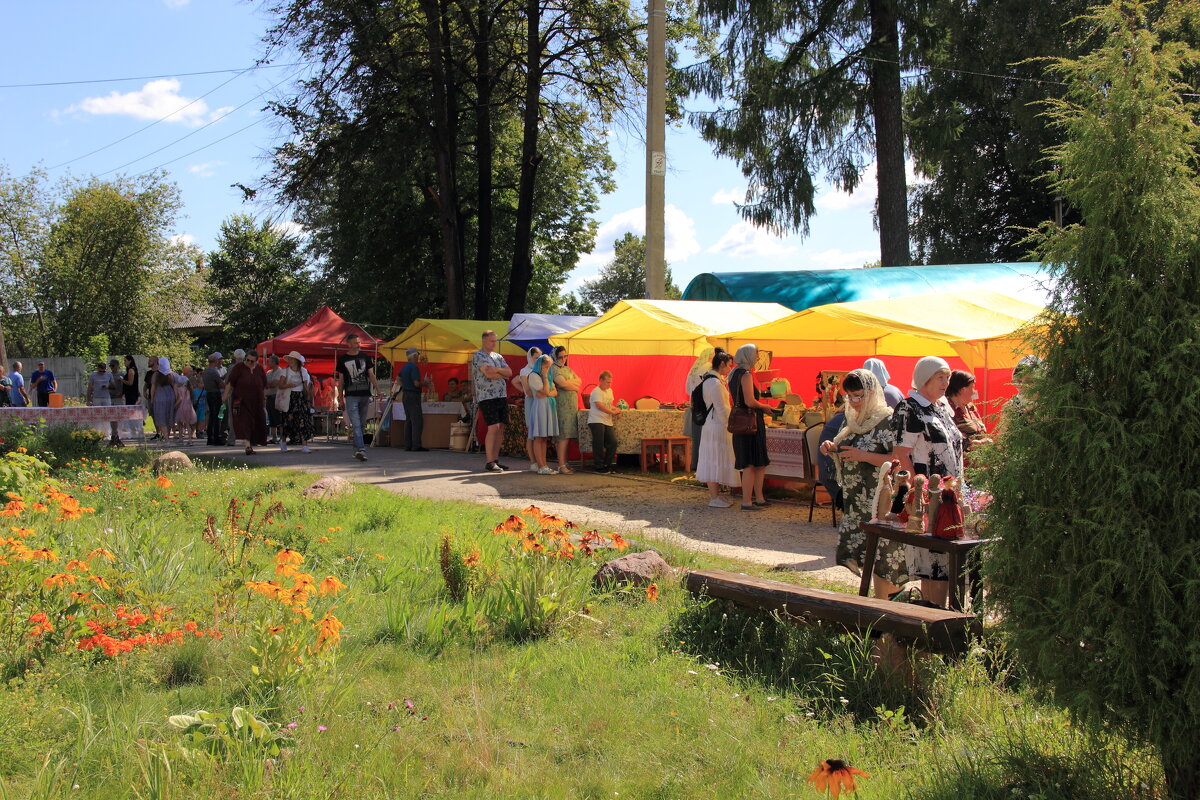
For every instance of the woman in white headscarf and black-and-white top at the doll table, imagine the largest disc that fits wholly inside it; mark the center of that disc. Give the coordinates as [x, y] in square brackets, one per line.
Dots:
[928, 443]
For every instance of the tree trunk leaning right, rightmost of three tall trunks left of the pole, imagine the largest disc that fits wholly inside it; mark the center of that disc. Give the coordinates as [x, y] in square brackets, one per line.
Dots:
[523, 245]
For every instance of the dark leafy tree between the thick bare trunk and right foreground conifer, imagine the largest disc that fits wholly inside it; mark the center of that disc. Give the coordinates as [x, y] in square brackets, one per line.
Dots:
[977, 131]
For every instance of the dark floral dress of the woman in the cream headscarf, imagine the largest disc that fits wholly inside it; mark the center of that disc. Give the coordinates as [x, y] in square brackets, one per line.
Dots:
[860, 485]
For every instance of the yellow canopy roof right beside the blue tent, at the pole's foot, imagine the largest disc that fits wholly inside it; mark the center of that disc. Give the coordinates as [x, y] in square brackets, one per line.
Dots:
[679, 328]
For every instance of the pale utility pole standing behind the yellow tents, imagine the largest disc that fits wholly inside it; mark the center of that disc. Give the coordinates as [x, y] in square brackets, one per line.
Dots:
[656, 148]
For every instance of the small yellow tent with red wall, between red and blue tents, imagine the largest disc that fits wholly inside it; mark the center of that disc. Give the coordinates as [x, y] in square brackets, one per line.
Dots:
[448, 345]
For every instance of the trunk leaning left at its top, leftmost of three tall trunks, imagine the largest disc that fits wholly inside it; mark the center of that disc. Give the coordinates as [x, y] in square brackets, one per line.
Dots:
[443, 139]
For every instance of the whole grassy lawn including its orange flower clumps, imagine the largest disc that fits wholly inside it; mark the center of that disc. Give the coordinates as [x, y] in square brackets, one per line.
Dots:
[532, 685]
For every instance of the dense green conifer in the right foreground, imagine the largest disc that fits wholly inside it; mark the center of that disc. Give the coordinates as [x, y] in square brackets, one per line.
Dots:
[1096, 497]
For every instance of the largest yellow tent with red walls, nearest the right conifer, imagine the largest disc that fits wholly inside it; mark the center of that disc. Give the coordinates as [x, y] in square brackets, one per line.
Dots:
[979, 330]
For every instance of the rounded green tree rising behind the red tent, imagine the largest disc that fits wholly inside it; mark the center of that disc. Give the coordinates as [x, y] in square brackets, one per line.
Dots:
[257, 279]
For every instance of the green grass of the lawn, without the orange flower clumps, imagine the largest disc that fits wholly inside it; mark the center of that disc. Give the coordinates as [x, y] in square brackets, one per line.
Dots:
[675, 699]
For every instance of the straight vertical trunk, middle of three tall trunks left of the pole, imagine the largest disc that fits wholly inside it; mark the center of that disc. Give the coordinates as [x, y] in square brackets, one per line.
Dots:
[484, 158]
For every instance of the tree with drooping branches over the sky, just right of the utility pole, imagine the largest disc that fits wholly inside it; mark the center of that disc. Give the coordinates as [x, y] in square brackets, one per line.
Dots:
[811, 89]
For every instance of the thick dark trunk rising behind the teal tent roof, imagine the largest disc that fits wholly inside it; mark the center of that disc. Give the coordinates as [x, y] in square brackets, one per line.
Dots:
[893, 193]
